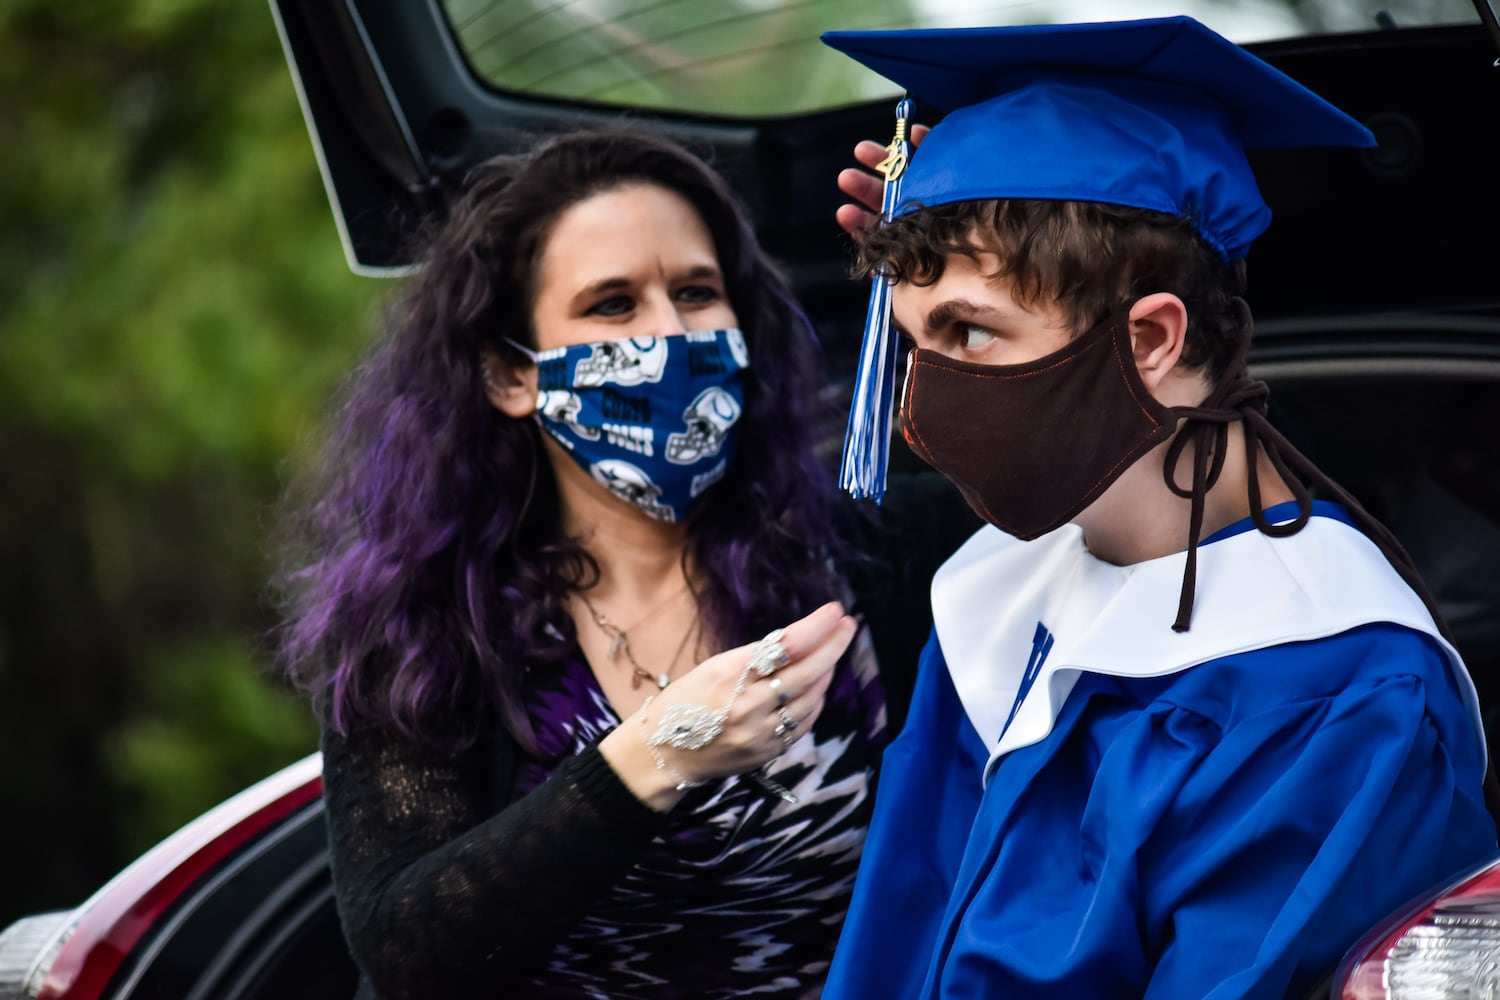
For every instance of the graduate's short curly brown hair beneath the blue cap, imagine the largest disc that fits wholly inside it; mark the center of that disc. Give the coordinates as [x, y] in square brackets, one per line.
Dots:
[1085, 257]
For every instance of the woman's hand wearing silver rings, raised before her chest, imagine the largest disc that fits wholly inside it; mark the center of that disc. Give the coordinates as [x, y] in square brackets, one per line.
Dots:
[751, 719]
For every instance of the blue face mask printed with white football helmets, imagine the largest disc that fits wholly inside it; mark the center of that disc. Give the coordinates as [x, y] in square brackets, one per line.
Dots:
[649, 418]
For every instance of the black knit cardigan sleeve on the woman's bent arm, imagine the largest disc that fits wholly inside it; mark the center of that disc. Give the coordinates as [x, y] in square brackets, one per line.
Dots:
[437, 897]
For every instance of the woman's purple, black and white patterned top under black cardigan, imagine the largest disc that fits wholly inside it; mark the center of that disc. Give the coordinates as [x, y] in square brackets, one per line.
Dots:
[743, 894]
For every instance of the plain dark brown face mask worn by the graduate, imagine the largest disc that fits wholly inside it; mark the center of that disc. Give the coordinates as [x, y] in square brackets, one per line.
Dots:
[1030, 446]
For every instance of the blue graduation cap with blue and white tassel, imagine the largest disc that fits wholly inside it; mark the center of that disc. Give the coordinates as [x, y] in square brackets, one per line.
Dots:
[1151, 115]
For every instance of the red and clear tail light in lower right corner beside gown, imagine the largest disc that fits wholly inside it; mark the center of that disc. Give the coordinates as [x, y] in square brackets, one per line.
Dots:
[1444, 948]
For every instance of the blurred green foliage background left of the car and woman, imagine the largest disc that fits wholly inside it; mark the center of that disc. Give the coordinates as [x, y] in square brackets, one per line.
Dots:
[173, 311]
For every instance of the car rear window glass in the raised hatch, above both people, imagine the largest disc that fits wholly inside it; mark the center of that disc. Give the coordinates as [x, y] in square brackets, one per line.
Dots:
[763, 58]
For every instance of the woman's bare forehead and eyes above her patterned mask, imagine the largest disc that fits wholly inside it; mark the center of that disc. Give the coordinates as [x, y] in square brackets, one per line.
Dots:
[635, 262]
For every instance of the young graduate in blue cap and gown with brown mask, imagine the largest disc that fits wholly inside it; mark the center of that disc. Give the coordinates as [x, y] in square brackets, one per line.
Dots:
[1181, 729]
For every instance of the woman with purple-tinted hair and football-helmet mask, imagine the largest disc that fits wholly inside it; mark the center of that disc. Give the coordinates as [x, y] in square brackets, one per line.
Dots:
[563, 497]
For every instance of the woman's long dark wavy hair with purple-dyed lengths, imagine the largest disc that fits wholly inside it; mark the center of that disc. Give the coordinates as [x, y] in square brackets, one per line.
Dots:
[427, 564]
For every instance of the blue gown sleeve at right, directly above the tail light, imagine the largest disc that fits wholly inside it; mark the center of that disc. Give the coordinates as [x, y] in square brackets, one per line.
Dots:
[1310, 822]
